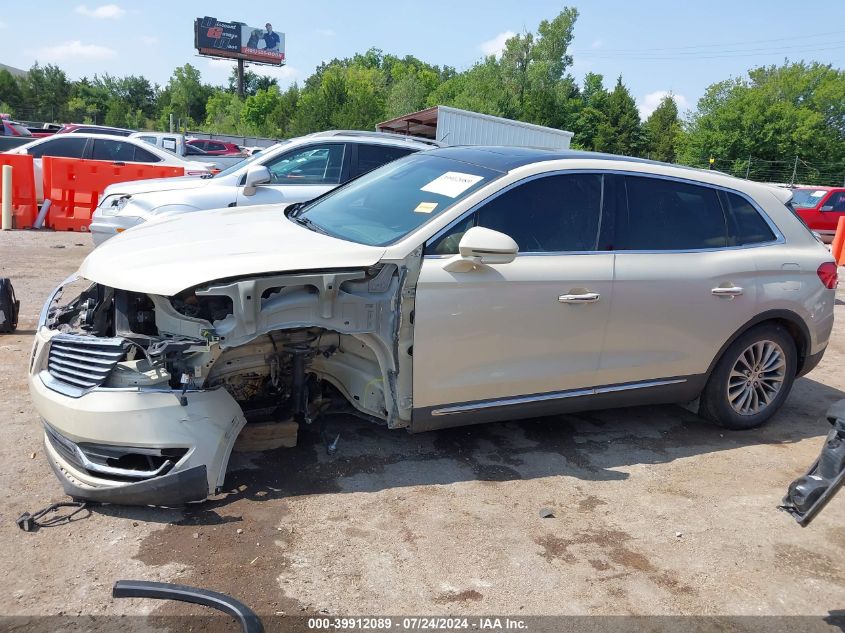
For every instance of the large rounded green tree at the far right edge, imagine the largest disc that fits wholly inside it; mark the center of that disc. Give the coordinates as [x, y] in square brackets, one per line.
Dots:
[774, 115]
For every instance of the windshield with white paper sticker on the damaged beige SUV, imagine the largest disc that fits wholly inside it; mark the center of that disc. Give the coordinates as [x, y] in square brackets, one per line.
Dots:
[388, 203]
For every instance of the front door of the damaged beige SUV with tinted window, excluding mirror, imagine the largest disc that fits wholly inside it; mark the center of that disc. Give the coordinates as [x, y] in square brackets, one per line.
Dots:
[531, 328]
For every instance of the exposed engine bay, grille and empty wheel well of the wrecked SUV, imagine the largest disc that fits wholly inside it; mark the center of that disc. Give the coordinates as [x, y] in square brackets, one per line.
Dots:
[283, 346]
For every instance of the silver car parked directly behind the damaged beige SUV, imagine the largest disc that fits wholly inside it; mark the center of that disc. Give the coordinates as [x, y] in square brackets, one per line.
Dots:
[292, 171]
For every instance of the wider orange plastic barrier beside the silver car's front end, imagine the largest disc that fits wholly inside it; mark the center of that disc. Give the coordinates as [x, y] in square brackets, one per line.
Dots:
[73, 187]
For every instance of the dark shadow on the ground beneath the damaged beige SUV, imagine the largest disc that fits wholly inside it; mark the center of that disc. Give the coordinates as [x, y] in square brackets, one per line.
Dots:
[591, 446]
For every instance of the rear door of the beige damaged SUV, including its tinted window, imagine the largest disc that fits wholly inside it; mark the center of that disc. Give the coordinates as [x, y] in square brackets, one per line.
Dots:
[682, 285]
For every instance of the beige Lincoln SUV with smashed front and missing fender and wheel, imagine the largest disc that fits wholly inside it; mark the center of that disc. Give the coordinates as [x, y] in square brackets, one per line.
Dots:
[450, 287]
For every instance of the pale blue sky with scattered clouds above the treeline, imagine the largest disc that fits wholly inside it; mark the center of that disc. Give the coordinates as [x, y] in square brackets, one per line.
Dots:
[657, 46]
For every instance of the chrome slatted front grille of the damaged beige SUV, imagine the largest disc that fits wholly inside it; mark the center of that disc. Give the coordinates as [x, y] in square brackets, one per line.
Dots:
[83, 361]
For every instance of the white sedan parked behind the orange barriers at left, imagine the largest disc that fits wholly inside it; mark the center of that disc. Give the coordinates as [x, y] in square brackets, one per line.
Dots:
[102, 147]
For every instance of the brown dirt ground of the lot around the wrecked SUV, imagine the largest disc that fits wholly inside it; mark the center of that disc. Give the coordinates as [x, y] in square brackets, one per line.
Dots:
[656, 512]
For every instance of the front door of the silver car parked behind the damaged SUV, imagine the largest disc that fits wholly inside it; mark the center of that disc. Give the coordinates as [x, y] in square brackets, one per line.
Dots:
[301, 174]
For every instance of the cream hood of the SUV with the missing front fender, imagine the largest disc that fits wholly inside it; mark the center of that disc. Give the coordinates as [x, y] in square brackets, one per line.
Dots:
[180, 252]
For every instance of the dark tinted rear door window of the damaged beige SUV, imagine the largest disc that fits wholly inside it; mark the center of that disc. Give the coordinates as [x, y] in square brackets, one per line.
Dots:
[668, 215]
